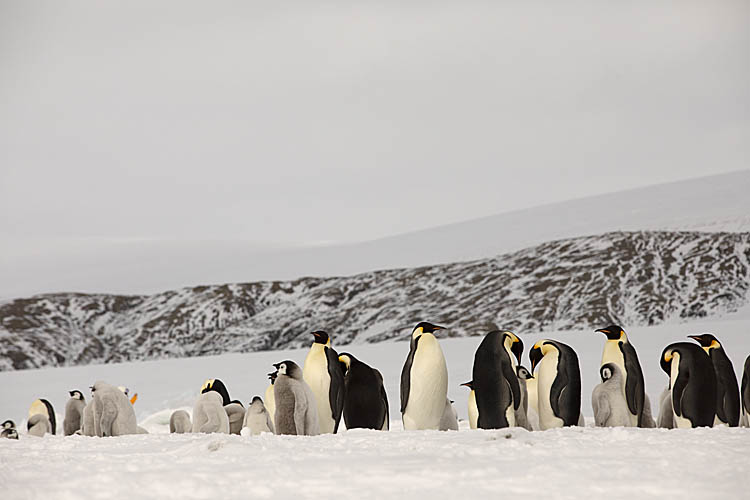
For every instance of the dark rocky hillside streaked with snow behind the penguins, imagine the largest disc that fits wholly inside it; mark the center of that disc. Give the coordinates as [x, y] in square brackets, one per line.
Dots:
[633, 278]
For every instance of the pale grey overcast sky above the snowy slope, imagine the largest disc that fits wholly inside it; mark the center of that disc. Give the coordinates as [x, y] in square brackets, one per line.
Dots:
[342, 121]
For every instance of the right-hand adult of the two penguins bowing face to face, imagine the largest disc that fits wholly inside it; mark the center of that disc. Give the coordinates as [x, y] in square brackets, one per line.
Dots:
[558, 383]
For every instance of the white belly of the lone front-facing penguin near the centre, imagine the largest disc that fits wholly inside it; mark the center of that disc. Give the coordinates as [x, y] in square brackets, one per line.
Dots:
[429, 386]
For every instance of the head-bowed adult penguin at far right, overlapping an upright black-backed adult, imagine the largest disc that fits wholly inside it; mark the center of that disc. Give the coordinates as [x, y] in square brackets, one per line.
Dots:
[693, 384]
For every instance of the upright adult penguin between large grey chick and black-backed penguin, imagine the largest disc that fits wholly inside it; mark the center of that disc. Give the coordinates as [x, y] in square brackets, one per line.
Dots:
[322, 372]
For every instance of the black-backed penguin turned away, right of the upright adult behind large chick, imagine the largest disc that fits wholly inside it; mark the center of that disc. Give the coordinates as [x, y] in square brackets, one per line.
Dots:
[365, 400]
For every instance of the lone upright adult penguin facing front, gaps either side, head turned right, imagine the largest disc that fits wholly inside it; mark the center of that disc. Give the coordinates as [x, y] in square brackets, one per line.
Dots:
[424, 380]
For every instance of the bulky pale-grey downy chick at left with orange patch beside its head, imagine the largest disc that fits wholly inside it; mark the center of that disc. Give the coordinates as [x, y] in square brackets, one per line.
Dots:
[113, 413]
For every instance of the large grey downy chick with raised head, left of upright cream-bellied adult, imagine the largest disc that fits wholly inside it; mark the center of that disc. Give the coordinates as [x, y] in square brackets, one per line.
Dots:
[296, 409]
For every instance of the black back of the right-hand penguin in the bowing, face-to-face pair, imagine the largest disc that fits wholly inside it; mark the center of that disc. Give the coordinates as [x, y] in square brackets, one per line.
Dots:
[565, 394]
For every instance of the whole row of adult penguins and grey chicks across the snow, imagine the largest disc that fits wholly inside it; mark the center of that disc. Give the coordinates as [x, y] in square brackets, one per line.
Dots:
[701, 391]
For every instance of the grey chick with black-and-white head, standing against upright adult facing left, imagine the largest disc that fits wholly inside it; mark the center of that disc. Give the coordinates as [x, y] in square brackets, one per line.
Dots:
[608, 401]
